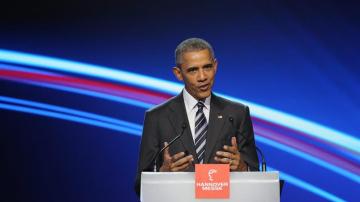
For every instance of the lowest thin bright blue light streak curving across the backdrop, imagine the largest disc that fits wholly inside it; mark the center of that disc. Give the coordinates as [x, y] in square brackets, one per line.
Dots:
[288, 178]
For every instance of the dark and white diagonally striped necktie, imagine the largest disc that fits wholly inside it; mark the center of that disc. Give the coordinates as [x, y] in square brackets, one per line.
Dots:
[201, 127]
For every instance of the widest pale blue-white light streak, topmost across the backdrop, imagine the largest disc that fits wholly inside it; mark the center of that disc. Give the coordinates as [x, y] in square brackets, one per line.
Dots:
[319, 131]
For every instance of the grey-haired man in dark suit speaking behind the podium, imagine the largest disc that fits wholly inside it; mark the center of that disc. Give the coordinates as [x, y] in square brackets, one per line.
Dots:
[211, 129]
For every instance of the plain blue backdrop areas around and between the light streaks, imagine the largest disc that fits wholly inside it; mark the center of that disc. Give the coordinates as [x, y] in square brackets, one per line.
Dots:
[299, 57]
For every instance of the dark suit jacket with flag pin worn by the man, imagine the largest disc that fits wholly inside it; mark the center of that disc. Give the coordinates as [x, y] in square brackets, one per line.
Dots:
[164, 122]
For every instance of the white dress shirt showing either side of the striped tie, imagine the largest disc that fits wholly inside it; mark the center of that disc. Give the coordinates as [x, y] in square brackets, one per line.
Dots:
[191, 109]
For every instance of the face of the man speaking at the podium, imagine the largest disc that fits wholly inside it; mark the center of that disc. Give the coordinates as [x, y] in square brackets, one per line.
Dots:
[197, 71]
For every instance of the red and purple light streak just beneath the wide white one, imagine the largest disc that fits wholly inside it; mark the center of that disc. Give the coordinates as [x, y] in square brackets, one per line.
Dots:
[22, 75]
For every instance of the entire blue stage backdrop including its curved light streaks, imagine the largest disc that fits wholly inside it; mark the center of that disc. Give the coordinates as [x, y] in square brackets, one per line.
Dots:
[76, 78]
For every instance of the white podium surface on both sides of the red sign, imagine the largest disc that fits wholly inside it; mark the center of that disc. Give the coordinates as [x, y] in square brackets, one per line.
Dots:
[180, 187]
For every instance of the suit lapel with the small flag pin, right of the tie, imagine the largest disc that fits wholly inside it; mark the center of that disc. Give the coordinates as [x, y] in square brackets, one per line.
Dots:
[216, 122]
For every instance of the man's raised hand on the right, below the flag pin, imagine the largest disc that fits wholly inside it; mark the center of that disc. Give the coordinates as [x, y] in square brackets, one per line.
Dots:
[231, 155]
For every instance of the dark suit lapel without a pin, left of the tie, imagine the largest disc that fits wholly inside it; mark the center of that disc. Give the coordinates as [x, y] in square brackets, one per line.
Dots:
[177, 116]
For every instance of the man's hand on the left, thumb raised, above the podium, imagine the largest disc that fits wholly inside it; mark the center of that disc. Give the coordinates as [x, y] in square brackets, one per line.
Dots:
[177, 162]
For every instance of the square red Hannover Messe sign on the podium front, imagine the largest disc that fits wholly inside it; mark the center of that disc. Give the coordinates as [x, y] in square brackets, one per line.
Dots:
[212, 181]
